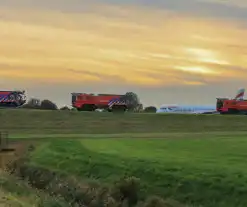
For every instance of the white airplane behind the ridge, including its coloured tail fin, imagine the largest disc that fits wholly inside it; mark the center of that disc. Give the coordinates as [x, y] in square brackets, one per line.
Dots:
[193, 109]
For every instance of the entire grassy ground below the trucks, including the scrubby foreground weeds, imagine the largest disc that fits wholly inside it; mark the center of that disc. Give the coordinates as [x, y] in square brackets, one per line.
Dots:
[101, 159]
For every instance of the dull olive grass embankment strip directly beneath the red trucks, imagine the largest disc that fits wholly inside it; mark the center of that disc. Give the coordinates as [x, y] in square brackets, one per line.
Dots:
[34, 122]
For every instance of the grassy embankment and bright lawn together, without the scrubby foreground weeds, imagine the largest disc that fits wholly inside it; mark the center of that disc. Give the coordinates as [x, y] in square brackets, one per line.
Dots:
[198, 160]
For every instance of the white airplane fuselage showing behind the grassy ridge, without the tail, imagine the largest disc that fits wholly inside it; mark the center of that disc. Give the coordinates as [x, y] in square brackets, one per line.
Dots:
[186, 109]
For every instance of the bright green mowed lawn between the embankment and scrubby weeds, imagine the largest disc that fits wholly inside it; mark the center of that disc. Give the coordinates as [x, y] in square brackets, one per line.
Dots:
[210, 172]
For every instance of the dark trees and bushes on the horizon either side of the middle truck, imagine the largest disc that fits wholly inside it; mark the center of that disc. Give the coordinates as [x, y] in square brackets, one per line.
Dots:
[132, 101]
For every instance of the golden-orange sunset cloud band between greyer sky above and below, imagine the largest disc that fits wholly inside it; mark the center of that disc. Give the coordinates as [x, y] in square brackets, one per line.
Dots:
[128, 45]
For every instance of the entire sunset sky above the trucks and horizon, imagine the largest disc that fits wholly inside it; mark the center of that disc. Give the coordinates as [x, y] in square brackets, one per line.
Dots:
[167, 51]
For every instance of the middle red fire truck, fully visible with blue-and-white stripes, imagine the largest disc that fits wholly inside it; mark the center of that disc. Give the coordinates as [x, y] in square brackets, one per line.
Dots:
[91, 102]
